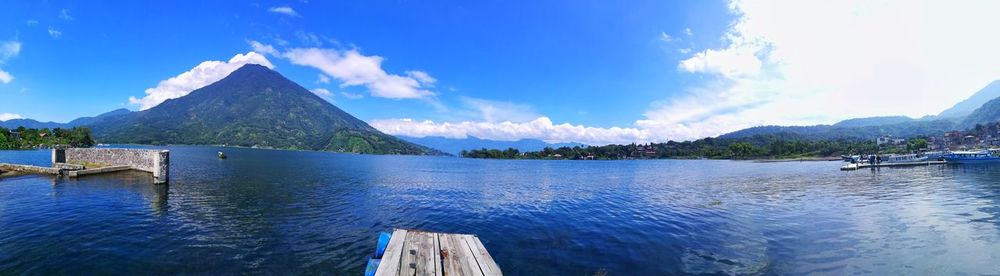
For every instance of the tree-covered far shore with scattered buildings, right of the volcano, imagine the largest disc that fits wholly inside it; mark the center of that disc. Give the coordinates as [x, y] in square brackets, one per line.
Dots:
[767, 147]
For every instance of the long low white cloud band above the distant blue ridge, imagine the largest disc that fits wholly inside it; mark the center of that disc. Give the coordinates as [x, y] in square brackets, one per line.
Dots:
[540, 128]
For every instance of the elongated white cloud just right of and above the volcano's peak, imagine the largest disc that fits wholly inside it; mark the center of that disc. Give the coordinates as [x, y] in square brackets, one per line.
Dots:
[352, 69]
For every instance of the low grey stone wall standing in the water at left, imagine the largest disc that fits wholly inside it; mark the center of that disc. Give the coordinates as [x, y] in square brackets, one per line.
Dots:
[154, 161]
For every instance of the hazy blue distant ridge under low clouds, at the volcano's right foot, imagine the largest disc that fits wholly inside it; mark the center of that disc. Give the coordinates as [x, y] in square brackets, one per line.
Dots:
[455, 146]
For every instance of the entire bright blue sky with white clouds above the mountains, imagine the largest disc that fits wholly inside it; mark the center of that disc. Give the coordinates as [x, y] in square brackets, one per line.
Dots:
[586, 71]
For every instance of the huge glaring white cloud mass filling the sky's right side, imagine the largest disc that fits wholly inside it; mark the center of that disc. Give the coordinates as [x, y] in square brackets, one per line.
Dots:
[812, 62]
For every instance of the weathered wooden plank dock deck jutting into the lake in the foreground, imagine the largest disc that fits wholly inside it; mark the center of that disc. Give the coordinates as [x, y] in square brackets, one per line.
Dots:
[412, 252]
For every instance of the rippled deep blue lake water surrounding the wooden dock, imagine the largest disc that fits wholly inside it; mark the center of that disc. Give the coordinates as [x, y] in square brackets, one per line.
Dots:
[268, 211]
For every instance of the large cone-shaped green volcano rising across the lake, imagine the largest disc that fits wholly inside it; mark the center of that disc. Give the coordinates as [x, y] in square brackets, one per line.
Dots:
[253, 106]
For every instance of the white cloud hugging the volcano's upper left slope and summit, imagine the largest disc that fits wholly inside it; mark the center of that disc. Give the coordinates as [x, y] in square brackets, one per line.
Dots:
[204, 74]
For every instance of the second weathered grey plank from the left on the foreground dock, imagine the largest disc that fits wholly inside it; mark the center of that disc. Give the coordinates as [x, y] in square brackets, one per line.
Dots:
[419, 254]
